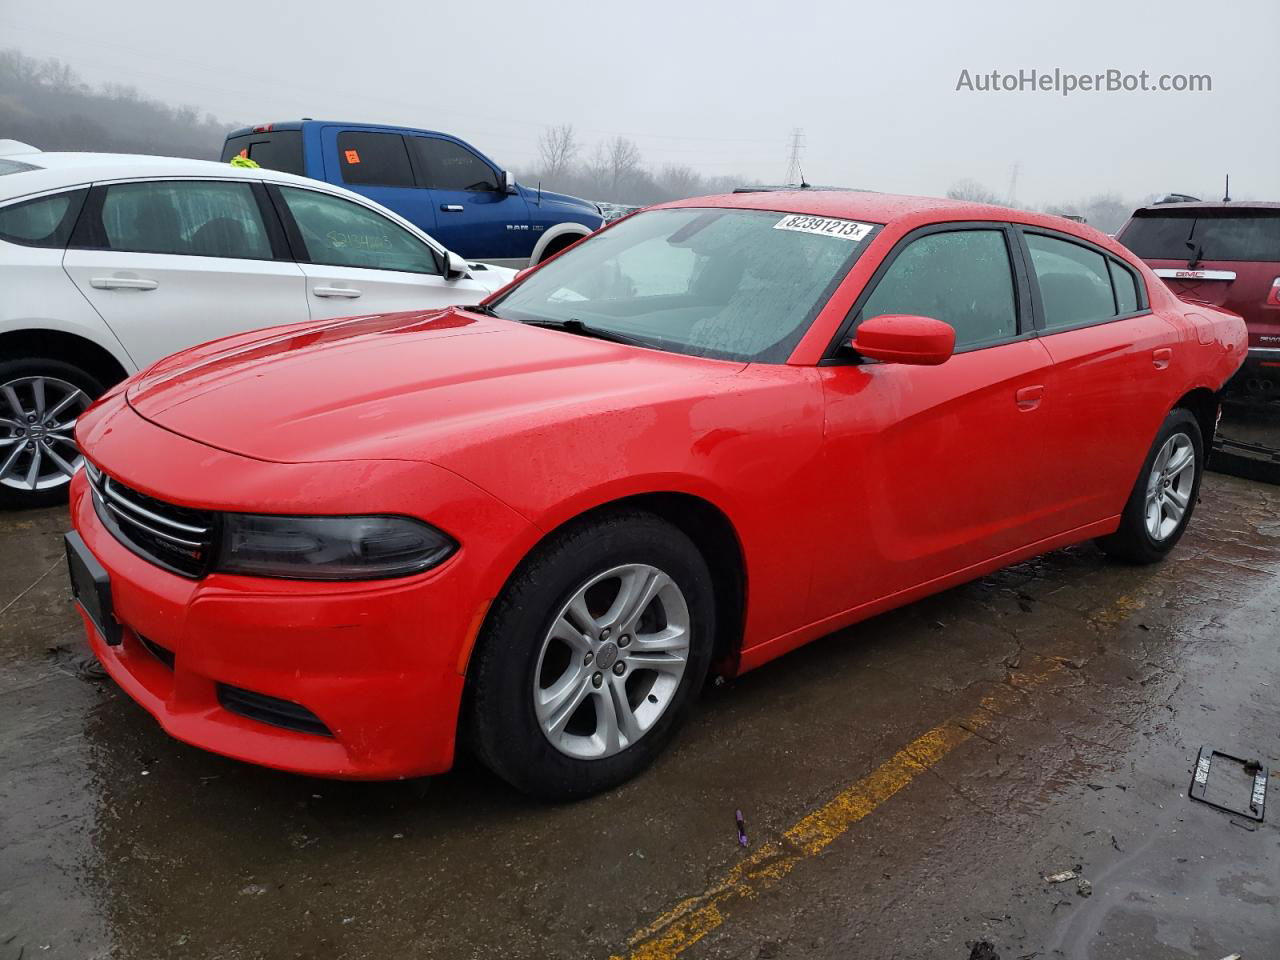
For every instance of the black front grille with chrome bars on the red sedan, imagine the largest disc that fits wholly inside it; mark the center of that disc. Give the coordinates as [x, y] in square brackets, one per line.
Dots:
[176, 538]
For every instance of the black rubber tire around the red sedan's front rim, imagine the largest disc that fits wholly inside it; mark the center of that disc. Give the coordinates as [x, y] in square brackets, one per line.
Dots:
[502, 725]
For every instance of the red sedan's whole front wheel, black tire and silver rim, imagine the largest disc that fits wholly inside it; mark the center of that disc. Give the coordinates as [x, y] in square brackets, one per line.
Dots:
[592, 657]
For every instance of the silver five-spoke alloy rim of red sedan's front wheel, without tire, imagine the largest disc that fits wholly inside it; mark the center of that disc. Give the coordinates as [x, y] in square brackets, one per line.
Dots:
[612, 662]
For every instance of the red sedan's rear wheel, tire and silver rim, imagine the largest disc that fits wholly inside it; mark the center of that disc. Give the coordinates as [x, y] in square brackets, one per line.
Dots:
[1164, 499]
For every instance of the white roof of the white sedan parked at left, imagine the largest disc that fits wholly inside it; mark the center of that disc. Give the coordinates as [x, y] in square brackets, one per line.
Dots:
[56, 171]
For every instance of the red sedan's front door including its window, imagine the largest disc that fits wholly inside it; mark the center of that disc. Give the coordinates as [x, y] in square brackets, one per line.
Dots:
[941, 464]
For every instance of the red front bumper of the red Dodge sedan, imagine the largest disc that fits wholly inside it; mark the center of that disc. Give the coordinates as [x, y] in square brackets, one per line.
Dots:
[380, 664]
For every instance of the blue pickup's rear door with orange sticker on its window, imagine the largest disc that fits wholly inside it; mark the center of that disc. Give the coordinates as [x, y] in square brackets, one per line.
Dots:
[377, 166]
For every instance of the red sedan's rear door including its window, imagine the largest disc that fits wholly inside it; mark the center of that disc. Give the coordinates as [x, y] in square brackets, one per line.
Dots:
[1116, 376]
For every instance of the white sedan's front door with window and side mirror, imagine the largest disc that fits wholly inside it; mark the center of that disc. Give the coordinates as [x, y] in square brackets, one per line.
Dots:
[359, 262]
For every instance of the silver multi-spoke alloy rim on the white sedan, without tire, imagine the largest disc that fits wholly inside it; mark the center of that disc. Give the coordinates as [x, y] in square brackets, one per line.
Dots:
[38, 417]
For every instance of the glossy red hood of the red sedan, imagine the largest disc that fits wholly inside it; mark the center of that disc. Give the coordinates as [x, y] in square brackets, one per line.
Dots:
[401, 386]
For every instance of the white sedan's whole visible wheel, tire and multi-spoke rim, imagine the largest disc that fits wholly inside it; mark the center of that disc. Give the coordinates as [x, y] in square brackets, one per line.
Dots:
[40, 401]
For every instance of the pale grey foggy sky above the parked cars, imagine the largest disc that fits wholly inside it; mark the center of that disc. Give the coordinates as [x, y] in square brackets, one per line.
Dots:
[720, 85]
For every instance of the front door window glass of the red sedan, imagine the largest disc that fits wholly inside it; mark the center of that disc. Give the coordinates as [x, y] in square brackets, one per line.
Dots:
[959, 277]
